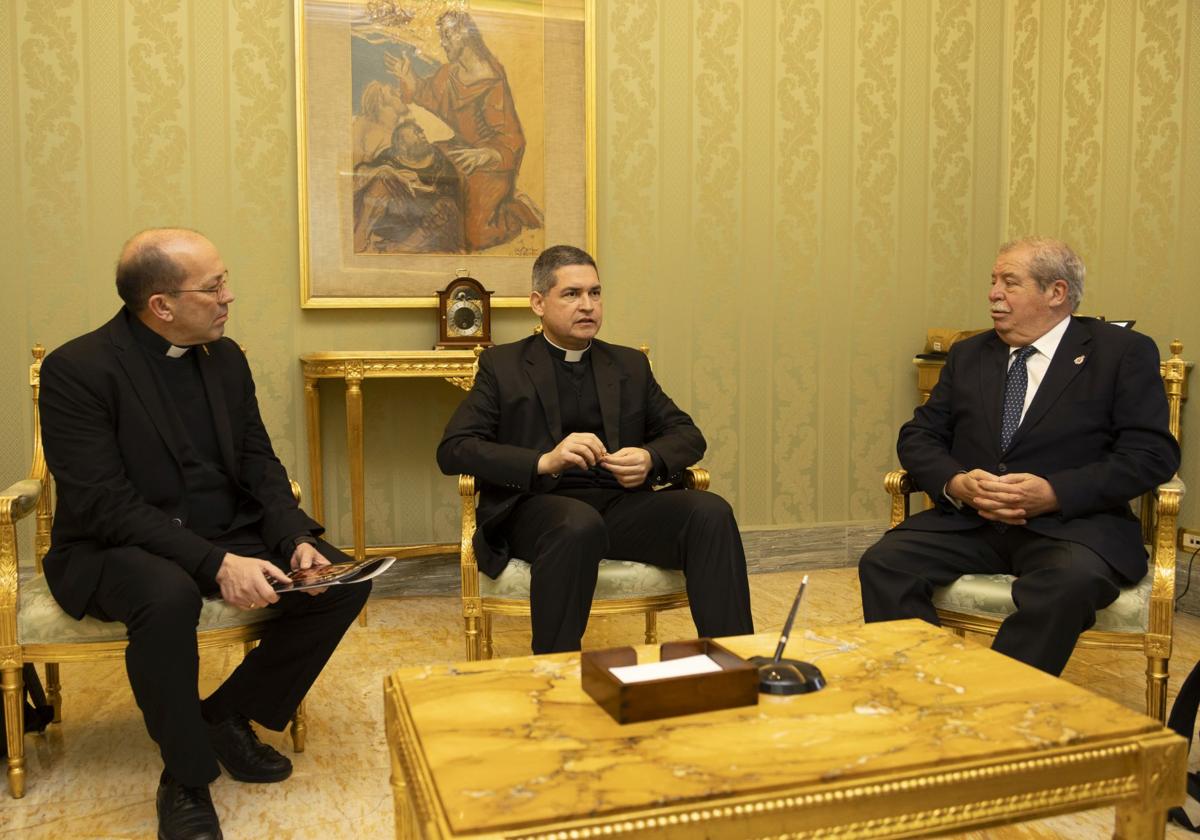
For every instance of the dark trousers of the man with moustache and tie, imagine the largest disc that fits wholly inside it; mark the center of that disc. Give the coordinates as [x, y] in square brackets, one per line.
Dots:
[1059, 585]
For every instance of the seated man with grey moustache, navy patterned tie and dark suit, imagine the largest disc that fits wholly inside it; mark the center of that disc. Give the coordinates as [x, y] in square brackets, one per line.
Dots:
[1031, 446]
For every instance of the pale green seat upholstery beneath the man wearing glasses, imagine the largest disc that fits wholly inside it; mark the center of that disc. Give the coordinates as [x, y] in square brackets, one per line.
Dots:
[41, 621]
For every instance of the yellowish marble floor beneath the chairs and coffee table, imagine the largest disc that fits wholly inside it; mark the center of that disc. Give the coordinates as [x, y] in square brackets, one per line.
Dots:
[94, 776]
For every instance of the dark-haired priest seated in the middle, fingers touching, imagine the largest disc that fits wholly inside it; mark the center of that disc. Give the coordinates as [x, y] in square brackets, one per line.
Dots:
[567, 435]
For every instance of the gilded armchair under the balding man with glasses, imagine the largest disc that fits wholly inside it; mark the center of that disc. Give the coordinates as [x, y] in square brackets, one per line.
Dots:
[34, 628]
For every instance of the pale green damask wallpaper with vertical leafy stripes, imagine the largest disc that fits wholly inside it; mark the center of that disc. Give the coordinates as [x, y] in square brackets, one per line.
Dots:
[791, 193]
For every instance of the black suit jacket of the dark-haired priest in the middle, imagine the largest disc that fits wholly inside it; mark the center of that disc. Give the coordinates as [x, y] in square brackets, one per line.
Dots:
[512, 417]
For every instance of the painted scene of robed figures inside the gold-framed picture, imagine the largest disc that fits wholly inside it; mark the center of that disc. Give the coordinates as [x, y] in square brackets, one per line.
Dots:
[461, 193]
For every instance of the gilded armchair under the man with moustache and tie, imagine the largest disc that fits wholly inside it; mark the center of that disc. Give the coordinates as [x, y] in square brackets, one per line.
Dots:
[1143, 616]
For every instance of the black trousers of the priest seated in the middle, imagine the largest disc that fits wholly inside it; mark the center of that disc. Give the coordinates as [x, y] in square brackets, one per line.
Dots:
[566, 535]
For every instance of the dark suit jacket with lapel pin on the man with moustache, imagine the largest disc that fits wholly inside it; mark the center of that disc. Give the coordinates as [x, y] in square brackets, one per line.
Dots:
[1097, 431]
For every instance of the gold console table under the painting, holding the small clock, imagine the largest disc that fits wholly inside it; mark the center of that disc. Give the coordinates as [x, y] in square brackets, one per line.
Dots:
[352, 368]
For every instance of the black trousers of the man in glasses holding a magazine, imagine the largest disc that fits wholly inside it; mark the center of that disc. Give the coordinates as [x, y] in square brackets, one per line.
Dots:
[160, 605]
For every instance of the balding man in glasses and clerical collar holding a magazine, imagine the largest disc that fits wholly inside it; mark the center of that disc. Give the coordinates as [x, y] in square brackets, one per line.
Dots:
[170, 491]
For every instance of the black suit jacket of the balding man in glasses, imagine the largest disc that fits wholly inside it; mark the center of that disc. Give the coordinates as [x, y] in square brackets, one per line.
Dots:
[116, 458]
